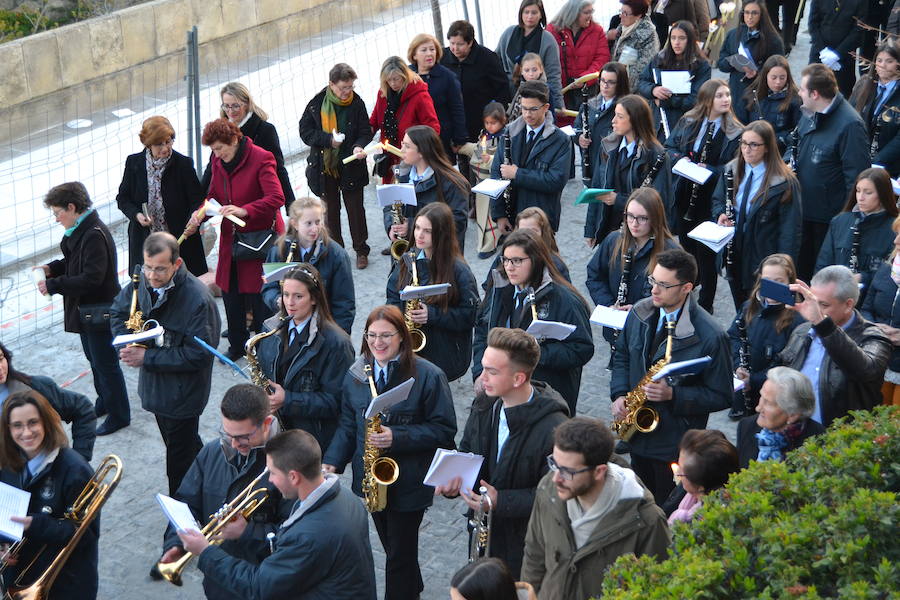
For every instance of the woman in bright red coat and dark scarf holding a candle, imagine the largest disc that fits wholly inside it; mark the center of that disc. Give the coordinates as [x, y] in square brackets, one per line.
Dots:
[403, 101]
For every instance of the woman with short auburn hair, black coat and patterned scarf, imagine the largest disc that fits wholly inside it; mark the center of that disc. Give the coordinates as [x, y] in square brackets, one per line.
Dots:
[159, 190]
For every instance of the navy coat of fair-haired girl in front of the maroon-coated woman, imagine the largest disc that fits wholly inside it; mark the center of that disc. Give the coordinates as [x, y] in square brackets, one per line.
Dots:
[333, 264]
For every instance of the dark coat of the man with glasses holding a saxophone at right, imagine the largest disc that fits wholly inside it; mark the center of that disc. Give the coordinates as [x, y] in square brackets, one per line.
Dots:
[694, 397]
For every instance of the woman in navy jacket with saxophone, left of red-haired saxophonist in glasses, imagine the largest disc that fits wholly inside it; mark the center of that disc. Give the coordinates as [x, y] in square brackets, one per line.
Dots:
[306, 359]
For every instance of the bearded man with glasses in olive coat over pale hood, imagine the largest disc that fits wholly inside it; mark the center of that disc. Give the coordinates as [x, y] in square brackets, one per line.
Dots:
[587, 512]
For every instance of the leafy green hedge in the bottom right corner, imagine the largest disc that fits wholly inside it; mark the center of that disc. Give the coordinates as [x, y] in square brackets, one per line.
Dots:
[822, 524]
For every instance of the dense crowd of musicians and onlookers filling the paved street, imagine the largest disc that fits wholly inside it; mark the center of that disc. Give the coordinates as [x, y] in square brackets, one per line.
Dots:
[800, 165]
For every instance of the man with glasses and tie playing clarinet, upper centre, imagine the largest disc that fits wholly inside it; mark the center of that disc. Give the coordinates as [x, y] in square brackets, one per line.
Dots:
[540, 158]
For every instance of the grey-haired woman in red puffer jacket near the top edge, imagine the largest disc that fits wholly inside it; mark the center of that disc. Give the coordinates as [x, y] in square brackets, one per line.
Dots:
[583, 48]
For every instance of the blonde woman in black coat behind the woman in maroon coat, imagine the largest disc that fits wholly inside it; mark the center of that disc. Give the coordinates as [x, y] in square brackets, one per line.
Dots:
[239, 108]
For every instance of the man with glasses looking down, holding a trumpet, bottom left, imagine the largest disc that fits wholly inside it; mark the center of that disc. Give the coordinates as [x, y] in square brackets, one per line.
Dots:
[222, 469]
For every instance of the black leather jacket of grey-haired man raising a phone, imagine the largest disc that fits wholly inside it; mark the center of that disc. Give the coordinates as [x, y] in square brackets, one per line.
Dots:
[852, 370]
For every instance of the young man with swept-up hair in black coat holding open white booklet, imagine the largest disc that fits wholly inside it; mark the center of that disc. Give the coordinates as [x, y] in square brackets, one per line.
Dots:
[511, 425]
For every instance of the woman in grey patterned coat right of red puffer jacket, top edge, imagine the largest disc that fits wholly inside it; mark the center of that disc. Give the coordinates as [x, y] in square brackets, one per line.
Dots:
[635, 41]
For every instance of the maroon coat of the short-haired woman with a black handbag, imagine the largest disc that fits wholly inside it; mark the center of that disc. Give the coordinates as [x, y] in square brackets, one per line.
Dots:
[254, 186]
